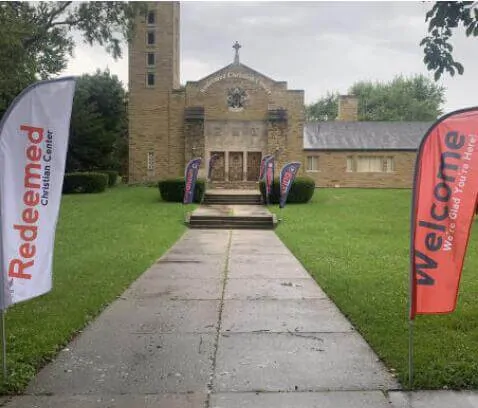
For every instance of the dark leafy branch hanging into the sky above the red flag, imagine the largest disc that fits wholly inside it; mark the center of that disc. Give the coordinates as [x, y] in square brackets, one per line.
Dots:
[444, 18]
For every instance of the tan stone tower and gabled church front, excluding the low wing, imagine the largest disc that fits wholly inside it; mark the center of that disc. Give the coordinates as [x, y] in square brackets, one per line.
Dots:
[236, 112]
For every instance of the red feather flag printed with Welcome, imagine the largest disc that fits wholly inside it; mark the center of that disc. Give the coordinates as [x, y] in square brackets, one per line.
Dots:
[444, 202]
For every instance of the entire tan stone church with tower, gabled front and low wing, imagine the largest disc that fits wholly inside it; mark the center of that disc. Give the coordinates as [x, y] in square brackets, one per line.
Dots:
[241, 115]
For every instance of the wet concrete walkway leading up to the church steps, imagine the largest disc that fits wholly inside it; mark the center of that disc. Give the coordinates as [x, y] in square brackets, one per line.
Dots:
[226, 319]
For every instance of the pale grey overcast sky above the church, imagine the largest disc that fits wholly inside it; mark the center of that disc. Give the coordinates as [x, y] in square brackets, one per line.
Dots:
[315, 46]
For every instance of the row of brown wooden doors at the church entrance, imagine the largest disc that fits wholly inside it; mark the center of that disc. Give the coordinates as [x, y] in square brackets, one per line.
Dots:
[235, 164]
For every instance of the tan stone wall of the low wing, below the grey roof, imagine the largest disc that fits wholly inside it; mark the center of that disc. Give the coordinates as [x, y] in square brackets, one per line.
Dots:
[332, 170]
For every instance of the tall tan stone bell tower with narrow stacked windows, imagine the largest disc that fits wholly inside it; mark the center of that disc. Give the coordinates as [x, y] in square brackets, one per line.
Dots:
[153, 75]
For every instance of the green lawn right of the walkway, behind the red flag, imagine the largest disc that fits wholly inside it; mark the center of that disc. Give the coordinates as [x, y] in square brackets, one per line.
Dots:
[355, 243]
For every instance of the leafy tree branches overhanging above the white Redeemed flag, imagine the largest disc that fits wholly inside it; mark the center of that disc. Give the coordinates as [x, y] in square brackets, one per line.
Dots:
[36, 37]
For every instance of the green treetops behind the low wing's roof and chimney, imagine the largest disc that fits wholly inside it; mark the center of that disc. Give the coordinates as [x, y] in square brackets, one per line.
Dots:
[403, 99]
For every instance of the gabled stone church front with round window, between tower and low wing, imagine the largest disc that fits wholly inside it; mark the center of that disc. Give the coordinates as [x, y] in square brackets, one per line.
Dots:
[269, 120]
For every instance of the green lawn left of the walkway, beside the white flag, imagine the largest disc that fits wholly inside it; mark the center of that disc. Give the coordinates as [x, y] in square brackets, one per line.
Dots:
[103, 243]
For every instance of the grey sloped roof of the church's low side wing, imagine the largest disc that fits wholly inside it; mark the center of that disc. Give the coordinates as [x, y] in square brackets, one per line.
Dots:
[364, 135]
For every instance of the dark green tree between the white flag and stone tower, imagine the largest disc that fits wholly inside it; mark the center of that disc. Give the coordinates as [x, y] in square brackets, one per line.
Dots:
[98, 131]
